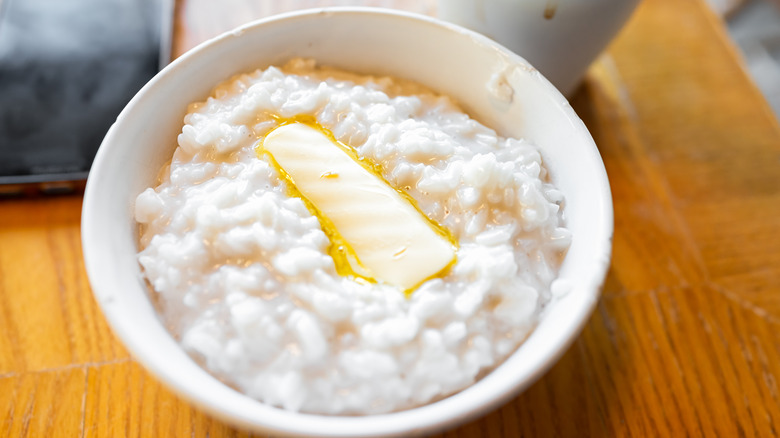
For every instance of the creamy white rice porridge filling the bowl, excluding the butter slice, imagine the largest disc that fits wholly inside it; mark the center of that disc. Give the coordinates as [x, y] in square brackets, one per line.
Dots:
[244, 270]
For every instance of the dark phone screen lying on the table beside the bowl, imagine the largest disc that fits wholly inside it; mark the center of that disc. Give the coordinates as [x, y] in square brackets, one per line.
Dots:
[67, 68]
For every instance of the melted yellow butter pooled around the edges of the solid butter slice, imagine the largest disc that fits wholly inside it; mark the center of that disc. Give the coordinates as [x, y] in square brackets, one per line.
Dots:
[344, 257]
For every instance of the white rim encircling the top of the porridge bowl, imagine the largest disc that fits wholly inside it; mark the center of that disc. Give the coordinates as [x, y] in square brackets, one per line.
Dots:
[439, 415]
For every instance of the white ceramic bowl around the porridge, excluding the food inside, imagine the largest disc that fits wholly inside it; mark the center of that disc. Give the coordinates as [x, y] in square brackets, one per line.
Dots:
[444, 57]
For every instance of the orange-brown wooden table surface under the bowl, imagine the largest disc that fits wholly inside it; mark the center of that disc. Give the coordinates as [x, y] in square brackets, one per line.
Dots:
[685, 340]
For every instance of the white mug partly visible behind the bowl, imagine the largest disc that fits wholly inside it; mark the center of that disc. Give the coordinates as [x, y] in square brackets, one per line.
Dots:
[561, 38]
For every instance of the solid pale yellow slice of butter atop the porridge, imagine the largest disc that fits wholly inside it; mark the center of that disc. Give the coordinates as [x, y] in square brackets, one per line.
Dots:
[391, 239]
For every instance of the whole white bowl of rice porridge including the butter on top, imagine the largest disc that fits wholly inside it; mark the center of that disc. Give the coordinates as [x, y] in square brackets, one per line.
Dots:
[347, 222]
